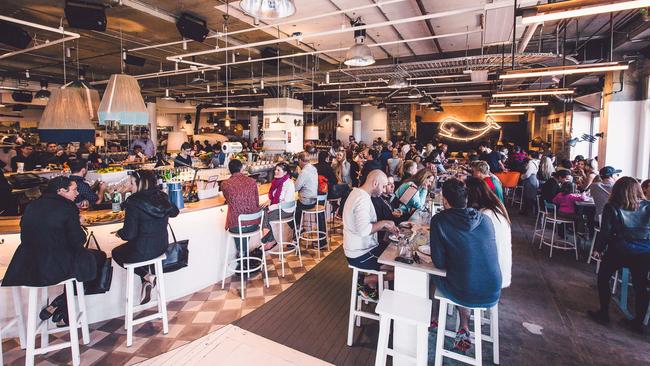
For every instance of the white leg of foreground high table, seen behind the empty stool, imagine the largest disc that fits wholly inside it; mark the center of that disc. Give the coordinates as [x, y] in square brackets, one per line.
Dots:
[405, 335]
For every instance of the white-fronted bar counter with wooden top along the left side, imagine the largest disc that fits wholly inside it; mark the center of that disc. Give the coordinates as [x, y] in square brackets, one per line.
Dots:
[203, 223]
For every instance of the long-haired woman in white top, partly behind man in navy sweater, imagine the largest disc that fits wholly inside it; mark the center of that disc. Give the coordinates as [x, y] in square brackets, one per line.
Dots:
[482, 198]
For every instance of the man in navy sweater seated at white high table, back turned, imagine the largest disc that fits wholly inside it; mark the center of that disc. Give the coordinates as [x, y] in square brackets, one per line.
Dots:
[463, 243]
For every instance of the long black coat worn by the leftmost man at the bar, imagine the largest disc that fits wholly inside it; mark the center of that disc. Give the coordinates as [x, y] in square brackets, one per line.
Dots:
[51, 246]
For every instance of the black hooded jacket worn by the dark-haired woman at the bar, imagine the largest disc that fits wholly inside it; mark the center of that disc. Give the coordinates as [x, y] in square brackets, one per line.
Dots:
[145, 226]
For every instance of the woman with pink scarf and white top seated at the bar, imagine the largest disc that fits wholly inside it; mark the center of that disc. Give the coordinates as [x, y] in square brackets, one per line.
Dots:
[282, 190]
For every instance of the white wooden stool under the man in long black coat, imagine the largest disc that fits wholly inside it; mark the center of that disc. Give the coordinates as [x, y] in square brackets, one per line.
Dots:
[76, 319]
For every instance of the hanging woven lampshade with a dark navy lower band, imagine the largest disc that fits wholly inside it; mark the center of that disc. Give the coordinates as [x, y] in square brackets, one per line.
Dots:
[65, 118]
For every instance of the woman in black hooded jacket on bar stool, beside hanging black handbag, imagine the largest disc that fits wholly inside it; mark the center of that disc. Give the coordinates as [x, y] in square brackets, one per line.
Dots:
[145, 228]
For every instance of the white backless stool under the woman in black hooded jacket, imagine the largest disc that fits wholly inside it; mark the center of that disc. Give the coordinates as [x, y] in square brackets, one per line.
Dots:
[161, 300]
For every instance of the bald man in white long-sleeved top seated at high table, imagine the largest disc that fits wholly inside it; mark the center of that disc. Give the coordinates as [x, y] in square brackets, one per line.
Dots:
[360, 227]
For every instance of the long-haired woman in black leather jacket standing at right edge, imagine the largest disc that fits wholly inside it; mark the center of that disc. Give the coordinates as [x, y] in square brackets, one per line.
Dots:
[625, 233]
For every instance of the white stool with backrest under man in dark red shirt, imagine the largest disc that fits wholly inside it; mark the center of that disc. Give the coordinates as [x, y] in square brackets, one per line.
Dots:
[246, 257]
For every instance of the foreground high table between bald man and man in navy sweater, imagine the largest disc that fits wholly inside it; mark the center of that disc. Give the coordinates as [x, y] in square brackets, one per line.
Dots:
[412, 279]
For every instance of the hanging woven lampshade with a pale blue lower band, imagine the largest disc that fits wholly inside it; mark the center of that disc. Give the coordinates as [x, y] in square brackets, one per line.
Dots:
[122, 102]
